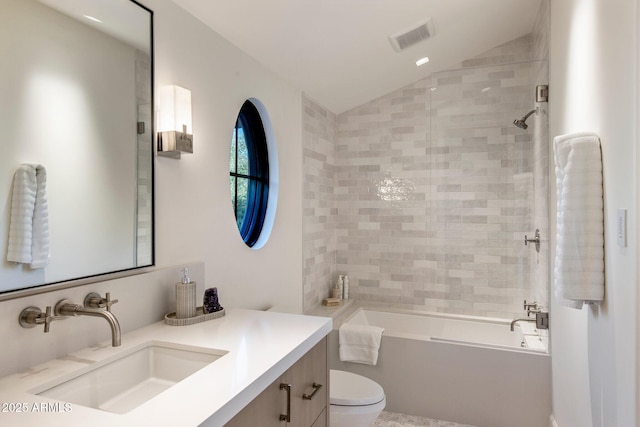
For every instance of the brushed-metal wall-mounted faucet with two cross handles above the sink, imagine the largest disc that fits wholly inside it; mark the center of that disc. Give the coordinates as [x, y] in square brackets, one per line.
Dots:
[94, 306]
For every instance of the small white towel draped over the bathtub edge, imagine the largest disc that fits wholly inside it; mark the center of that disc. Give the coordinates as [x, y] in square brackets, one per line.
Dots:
[359, 343]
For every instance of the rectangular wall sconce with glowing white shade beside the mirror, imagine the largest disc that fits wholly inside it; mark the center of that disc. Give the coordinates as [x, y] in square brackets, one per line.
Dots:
[174, 121]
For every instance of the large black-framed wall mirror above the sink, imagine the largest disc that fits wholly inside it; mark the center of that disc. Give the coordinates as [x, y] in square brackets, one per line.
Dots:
[76, 98]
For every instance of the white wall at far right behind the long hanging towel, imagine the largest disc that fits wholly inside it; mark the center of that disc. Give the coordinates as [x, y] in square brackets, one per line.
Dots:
[593, 88]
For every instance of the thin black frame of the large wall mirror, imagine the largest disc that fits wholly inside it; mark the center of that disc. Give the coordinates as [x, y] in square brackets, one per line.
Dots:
[133, 271]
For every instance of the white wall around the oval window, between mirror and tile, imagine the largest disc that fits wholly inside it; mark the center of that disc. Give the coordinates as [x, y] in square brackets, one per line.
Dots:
[194, 218]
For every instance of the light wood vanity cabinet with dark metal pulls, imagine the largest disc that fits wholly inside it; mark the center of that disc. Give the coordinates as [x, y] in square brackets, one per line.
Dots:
[270, 407]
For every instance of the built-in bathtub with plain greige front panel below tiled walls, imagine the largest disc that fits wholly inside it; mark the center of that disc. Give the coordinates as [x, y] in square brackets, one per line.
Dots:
[465, 369]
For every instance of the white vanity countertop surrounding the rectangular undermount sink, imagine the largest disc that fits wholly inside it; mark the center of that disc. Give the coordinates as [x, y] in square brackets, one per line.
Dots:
[261, 346]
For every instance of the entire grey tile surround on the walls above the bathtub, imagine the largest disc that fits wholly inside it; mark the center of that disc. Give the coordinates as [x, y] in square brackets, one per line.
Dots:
[434, 190]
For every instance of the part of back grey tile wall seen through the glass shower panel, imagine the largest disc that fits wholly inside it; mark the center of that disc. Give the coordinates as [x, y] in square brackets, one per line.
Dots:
[482, 186]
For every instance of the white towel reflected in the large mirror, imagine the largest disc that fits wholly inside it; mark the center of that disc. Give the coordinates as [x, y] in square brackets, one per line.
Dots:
[29, 224]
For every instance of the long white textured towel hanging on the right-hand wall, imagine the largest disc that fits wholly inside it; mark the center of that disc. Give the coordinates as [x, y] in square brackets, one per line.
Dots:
[579, 269]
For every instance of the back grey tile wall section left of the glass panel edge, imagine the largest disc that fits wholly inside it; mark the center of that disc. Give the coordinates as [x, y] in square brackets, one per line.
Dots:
[383, 194]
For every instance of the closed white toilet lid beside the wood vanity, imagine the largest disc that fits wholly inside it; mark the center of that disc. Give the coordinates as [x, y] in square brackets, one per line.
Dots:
[349, 389]
